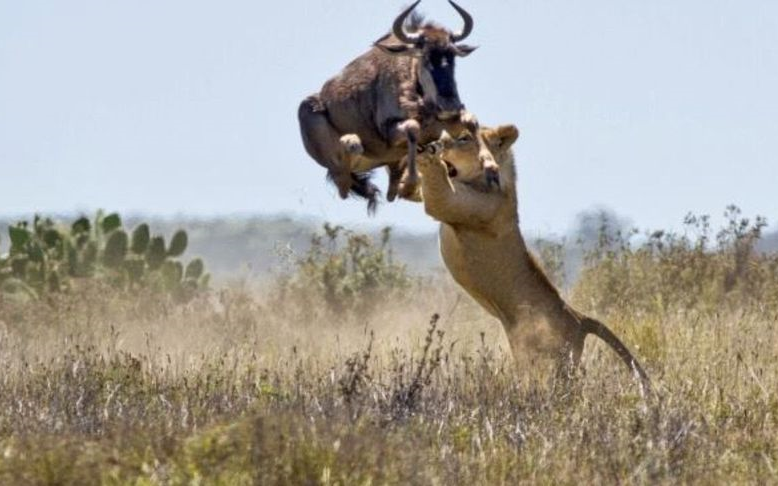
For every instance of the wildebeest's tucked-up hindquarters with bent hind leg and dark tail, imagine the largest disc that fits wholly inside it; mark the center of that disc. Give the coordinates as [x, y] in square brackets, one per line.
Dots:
[334, 151]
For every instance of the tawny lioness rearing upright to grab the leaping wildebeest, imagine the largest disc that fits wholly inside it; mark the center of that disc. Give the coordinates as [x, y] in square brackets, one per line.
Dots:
[483, 248]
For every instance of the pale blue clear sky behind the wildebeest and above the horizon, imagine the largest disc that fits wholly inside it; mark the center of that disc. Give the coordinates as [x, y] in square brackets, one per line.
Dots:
[653, 108]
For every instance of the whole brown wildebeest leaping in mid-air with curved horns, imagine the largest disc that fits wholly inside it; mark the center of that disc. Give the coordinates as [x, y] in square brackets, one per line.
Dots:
[399, 94]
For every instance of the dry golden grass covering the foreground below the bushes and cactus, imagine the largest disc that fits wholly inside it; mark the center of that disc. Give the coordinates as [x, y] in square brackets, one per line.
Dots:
[256, 386]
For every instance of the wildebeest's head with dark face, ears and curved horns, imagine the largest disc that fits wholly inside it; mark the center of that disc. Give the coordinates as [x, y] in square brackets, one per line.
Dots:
[435, 49]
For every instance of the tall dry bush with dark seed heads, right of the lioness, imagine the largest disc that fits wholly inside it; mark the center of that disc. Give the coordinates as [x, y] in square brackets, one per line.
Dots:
[696, 271]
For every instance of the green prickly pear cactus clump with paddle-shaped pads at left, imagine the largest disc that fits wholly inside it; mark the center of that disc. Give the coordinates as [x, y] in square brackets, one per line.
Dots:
[47, 257]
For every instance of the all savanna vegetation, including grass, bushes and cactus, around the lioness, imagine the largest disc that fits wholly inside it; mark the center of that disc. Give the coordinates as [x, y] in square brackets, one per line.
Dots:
[347, 367]
